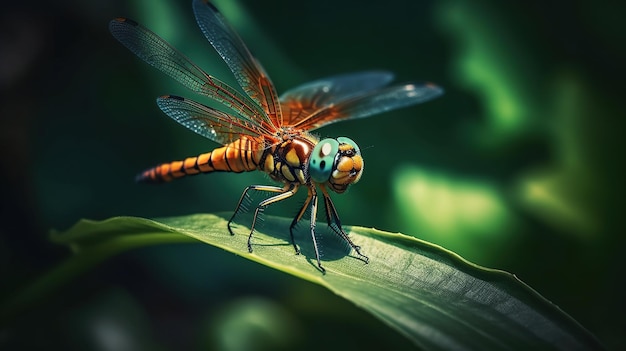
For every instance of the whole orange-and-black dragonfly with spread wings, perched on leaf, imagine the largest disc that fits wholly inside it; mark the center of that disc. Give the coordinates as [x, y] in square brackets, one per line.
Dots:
[260, 131]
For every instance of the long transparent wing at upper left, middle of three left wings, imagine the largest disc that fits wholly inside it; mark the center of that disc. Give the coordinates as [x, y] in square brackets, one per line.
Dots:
[158, 53]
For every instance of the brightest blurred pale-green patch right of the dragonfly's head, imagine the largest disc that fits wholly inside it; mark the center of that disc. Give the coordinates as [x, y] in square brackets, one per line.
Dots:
[462, 215]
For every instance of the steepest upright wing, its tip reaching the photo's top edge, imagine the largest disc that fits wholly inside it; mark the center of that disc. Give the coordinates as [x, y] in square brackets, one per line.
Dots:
[247, 70]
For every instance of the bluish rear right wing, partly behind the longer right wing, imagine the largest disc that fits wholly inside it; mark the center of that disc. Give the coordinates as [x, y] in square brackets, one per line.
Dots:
[306, 99]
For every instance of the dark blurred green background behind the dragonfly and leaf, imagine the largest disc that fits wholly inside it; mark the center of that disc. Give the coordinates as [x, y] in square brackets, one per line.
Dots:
[517, 167]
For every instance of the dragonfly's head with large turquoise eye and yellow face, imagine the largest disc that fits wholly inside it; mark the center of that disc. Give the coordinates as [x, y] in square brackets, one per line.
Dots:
[336, 162]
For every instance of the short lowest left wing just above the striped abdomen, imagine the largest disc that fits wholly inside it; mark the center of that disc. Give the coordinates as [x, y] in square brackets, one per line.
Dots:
[208, 122]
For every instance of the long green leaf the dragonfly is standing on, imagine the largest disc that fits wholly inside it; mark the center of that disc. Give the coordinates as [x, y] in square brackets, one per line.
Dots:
[429, 294]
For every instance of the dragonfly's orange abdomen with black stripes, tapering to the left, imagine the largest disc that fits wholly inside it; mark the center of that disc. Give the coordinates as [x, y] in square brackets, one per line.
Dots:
[242, 155]
